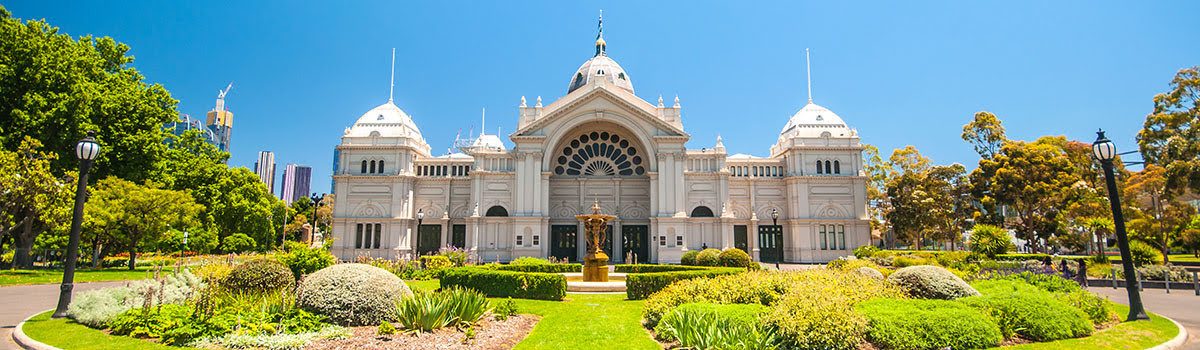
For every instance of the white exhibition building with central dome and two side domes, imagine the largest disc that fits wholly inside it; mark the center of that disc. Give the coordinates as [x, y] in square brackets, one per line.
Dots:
[805, 203]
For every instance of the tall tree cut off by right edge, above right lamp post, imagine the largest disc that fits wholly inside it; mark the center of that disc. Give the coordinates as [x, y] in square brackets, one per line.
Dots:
[1171, 137]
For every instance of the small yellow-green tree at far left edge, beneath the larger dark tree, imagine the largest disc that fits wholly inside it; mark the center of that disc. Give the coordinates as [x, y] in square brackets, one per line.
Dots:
[33, 200]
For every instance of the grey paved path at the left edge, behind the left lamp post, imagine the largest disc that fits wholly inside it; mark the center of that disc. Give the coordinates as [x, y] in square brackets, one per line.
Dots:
[19, 303]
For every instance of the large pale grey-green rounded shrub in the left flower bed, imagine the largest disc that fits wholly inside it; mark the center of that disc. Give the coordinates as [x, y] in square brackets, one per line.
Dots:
[352, 294]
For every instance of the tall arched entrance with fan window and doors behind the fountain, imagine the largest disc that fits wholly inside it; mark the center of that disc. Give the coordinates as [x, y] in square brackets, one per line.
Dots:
[605, 164]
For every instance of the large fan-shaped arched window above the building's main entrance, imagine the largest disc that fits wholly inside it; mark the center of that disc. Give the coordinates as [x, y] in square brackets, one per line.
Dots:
[599, 154]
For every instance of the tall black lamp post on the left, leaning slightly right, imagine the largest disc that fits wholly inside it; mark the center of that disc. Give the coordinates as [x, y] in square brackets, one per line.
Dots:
[87, 152]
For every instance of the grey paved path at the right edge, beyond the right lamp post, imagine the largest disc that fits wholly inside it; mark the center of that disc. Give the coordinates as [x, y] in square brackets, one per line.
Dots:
[1183, 306]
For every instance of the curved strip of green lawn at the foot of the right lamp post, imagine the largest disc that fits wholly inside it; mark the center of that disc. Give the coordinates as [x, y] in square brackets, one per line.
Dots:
[1138, 335]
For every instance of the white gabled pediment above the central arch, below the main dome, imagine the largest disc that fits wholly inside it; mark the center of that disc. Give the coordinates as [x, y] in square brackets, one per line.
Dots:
[601, 99]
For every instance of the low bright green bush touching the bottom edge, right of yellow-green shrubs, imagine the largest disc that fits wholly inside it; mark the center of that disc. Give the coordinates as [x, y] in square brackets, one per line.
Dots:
[928, 324]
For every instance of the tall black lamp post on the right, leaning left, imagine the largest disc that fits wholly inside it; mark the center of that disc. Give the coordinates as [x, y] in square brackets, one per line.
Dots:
[1106, 152]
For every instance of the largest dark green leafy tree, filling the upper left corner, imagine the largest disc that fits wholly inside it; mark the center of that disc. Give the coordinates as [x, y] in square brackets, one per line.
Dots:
[57, 89]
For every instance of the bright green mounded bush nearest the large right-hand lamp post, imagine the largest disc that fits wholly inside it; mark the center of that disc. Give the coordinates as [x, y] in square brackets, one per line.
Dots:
[1021, 309]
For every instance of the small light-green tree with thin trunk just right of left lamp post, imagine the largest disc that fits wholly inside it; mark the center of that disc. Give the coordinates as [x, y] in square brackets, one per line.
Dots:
[139, 215]
